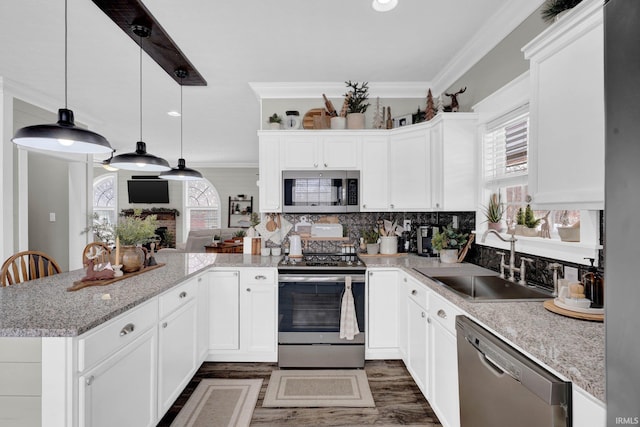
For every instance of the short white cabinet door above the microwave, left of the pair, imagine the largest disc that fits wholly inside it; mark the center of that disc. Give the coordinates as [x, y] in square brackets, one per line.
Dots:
[300, 151]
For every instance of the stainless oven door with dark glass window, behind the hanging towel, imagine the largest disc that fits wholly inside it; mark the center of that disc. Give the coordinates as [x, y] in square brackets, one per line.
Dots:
[309, 309]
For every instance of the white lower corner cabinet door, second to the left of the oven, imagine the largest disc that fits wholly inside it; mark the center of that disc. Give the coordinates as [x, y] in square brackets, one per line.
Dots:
[224, 306]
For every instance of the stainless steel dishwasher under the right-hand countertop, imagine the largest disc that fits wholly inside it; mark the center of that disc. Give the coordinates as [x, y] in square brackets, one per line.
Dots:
[501, 387]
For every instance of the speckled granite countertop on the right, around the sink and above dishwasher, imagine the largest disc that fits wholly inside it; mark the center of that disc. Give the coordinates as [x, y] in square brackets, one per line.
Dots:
[573, 348]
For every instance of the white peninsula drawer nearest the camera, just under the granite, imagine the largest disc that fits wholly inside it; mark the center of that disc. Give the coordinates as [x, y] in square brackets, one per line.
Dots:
[105, 339]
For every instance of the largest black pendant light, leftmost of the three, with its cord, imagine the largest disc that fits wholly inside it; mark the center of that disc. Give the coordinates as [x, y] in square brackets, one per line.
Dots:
[63, 136]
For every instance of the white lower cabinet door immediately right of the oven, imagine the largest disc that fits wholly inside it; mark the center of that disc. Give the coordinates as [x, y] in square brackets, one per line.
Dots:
[382, 308]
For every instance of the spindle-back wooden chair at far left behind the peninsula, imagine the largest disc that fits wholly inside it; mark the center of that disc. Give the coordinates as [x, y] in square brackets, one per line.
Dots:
[27, 265]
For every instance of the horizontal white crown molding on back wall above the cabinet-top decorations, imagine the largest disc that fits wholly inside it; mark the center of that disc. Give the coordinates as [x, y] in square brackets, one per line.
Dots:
[303, 90]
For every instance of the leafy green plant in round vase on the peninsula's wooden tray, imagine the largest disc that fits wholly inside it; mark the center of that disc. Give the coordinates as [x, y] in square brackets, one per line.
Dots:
[130, 232]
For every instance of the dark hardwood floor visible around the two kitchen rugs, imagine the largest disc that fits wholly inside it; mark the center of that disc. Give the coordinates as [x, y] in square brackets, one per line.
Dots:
[398, 399]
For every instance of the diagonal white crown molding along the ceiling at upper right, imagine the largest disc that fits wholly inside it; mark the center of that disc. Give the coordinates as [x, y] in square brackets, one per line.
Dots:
[493, 32]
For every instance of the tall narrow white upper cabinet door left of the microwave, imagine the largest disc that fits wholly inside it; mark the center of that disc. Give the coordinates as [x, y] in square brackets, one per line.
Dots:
[270, 174]
